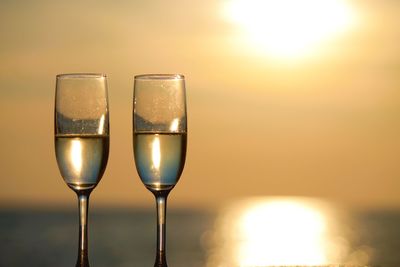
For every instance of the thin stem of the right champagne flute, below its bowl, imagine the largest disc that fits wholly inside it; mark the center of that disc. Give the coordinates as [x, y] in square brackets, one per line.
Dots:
[161, 202]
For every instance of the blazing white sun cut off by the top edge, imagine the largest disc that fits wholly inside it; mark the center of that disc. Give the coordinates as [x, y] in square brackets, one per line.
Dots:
[290, 28]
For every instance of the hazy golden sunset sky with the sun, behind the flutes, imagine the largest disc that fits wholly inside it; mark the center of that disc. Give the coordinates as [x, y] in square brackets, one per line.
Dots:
[292, 98]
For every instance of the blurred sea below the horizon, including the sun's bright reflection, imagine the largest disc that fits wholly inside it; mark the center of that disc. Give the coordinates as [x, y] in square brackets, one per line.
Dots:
[123, 237]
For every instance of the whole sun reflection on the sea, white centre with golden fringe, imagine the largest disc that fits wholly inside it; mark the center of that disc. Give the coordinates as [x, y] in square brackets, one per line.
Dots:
[280, 232]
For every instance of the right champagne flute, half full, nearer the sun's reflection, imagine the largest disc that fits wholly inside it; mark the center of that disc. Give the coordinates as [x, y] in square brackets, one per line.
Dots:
[159, 138]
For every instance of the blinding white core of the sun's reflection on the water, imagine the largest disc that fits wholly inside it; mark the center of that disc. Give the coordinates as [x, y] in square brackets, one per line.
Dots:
[281, 233]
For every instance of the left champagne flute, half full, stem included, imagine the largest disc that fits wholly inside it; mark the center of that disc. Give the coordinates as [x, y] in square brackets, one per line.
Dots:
[81, 140]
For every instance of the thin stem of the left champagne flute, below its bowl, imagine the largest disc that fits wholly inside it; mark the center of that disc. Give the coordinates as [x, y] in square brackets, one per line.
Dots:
[83, 202]
